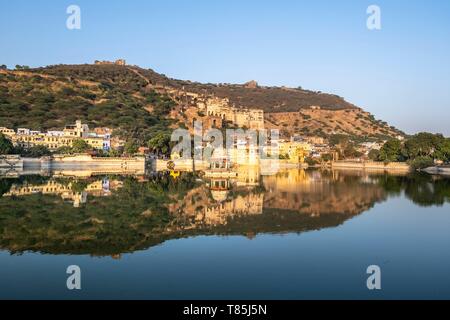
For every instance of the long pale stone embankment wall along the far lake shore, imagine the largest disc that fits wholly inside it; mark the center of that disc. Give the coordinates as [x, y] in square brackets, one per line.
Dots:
[87, 165]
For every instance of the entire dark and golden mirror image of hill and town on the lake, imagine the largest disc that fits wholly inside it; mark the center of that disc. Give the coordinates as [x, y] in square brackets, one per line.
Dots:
[113, 215]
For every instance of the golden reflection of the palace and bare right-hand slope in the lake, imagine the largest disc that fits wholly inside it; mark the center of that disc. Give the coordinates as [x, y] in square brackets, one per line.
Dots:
[297, 191]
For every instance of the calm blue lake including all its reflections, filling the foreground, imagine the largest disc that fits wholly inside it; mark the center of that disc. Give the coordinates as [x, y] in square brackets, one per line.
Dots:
[297, 235]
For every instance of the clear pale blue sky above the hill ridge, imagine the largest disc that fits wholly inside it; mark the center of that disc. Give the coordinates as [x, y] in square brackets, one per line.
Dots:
[400, 73]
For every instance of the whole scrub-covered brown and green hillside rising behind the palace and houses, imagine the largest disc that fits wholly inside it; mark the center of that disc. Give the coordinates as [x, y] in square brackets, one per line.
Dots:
[137, 102]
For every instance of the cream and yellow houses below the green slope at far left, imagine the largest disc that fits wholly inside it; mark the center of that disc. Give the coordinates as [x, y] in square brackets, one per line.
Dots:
[99, 139]
